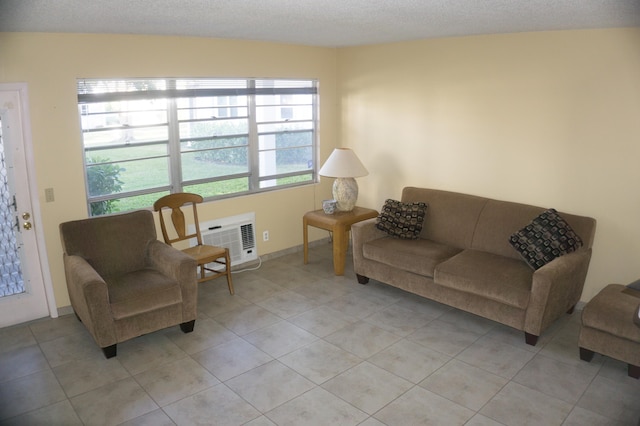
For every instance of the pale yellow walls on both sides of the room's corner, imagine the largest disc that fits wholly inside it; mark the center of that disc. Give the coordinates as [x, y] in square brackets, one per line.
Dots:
[551, 119]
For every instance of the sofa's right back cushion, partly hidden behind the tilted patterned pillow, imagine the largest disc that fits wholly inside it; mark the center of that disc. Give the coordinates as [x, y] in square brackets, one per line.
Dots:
[500, 219]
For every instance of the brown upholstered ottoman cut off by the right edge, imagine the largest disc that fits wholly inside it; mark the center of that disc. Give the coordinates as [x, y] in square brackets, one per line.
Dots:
[608, 327]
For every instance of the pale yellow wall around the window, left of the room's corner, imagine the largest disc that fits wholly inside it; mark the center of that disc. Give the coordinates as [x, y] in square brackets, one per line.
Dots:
[50, 64]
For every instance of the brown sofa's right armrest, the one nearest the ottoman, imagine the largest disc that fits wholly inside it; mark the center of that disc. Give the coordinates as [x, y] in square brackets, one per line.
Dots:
[556, 289]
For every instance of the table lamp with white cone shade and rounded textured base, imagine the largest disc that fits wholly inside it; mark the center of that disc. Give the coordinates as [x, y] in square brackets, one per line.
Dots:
[344, 165]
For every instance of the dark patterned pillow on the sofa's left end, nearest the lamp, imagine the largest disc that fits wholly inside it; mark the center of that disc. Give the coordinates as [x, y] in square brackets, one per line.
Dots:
[402, 220]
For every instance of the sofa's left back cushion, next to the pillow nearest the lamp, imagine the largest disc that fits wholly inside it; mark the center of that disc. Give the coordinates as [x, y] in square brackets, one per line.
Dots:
[451, 217]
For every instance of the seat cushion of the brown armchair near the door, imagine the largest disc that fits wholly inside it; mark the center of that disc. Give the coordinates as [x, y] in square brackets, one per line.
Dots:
[142, 291]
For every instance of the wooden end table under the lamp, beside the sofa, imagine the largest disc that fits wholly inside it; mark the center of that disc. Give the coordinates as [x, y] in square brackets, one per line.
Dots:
[340, 224]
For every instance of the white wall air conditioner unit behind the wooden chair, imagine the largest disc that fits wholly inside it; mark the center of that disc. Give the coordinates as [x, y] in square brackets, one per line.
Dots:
[237, 233]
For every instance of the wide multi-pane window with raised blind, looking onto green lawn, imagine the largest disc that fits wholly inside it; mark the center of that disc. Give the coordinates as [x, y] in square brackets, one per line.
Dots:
[145, 138]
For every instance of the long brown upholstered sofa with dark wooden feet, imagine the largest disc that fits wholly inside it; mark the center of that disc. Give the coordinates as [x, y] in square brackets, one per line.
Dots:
[464, 255]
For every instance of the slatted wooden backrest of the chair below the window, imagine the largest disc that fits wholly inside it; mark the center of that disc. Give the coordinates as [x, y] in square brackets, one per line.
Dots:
[175, 202]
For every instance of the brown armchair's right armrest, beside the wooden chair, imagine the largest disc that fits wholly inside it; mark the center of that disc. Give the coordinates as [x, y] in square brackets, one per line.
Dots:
[181, 267]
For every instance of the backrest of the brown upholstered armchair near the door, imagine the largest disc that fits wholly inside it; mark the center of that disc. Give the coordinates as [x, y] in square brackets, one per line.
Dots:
[114, 244]
